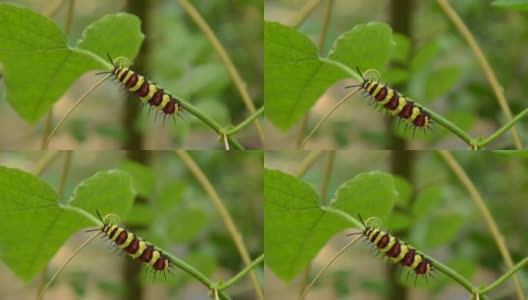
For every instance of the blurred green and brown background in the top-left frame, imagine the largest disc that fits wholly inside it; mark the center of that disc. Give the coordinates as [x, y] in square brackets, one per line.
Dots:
[176, 56]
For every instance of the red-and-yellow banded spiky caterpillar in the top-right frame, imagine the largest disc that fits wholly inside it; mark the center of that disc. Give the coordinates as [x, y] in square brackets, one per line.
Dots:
[395, 103]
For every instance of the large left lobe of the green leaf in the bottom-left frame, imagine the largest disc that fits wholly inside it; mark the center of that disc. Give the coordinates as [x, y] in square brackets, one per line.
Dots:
[32, 223]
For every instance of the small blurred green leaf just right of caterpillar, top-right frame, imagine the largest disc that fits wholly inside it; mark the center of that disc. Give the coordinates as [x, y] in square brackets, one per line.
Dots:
[440, 81]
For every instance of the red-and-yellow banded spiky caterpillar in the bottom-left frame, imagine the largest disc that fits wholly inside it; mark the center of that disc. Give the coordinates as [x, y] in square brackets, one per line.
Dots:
[136, 247]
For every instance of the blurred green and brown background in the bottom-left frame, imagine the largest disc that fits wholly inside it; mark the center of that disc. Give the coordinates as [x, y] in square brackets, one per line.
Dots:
[175, 214]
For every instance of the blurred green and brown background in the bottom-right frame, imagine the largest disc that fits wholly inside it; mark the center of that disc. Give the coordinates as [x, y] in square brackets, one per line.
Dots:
[440, 220]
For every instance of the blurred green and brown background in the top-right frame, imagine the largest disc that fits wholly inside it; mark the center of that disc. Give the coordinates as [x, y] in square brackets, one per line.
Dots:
[434, 66]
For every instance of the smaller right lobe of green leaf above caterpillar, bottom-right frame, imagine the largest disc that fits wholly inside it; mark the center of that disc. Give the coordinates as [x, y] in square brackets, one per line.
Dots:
[368, 194]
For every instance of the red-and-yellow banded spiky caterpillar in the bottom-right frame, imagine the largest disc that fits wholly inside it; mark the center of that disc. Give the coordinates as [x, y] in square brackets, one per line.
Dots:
[397, 251]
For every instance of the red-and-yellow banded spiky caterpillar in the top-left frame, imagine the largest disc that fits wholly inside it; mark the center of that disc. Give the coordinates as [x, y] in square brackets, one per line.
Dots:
[147, 91]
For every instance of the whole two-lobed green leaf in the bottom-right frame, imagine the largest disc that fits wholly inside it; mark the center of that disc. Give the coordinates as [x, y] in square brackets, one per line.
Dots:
[296, 226]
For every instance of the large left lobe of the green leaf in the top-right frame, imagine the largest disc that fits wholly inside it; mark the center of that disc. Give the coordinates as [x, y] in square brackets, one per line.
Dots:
[295, 75]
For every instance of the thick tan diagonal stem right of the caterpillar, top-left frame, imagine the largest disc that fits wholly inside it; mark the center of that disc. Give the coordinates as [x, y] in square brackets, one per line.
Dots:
[235, 76]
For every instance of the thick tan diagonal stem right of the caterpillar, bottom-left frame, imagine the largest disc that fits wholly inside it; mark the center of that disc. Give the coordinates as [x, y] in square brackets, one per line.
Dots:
[223, 212]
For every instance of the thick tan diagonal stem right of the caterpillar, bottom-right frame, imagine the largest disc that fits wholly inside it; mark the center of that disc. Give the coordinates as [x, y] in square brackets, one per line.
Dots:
[488, 218]
